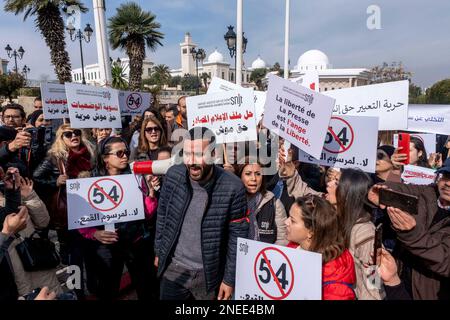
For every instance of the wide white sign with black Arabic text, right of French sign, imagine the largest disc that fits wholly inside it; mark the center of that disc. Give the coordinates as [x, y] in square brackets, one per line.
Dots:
[388, 101]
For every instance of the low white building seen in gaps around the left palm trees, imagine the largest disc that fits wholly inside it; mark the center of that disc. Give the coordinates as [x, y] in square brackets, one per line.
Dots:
[92, 72]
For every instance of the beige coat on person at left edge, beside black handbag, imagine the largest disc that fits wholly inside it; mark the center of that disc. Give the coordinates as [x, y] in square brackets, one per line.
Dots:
[28, 281]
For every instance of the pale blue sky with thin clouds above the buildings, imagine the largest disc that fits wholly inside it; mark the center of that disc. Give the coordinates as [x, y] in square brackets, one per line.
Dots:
[414, 32]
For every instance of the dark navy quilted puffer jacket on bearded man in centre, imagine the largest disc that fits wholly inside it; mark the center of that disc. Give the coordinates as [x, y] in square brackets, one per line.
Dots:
[223, 222]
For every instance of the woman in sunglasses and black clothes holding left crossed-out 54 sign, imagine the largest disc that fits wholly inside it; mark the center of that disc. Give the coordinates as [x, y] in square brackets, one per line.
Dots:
[132, 242]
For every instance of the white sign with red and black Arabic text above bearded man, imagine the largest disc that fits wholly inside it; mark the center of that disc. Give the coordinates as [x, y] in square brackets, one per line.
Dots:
[230, 115]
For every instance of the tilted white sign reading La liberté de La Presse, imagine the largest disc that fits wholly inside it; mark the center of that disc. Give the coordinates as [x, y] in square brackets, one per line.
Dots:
[297, 114]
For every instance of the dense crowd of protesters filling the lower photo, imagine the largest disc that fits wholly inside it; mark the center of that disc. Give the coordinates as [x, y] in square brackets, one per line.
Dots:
[185, 246]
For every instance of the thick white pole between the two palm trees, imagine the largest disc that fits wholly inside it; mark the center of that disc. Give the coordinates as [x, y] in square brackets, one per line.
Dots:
[102, 42]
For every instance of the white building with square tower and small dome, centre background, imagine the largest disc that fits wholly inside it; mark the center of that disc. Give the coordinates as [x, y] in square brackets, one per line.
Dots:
[215, 65]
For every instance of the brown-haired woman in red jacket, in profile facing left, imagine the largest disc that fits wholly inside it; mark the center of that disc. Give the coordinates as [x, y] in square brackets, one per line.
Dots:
[313, 226]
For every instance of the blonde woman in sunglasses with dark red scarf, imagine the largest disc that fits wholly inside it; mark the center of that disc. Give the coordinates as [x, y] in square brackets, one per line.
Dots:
[70, 154]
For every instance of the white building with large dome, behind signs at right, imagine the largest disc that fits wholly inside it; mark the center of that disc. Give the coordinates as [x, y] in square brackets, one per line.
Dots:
[329, 78]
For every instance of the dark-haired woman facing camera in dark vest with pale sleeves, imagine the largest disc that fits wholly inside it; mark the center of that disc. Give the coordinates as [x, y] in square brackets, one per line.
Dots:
[266, 213]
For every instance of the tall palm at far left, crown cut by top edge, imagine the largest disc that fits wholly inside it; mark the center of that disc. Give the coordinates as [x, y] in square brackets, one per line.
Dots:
[50, 23]
